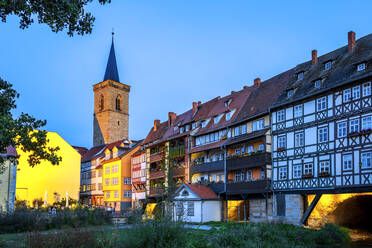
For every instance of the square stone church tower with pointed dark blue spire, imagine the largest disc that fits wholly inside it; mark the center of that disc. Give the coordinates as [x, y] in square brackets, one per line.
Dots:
[111, 100]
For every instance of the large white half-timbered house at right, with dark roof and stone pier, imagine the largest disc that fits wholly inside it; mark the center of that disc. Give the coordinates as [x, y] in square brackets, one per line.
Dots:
[321, 126]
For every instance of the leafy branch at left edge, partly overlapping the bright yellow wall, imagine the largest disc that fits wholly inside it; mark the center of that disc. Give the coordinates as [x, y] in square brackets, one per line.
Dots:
[19, 132]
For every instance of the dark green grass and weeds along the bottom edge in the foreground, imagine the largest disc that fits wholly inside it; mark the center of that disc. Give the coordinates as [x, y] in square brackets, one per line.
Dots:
[156, 234]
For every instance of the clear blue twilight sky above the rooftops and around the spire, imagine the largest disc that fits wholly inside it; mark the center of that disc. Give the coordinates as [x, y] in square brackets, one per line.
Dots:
[171, 53]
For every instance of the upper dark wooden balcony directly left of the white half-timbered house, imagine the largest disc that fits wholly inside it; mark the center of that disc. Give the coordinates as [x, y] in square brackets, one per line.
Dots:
[250, 161]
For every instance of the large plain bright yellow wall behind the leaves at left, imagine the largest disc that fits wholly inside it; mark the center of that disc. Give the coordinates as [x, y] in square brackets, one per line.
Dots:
[46, 181]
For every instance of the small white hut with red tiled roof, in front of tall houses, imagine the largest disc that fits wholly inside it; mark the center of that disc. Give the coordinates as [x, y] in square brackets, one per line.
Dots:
[196, 203]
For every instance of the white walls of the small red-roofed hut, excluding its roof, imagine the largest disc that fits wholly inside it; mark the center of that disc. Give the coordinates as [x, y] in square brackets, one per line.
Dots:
[189, 207]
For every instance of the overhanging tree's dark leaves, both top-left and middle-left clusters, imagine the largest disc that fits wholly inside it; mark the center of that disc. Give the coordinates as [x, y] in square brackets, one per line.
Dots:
[21, 132]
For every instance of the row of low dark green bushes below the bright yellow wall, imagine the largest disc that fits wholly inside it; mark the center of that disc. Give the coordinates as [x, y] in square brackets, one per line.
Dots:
[27, 221]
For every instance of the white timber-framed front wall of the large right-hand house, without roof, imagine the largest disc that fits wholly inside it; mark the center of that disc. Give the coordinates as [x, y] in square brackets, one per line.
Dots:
[324, 143]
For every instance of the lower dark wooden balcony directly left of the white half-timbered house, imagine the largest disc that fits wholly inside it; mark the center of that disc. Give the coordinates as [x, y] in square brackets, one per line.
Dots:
[249, 187]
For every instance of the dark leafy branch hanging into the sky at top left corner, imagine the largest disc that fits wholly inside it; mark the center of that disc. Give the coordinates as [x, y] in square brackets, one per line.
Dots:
[57, 14]
